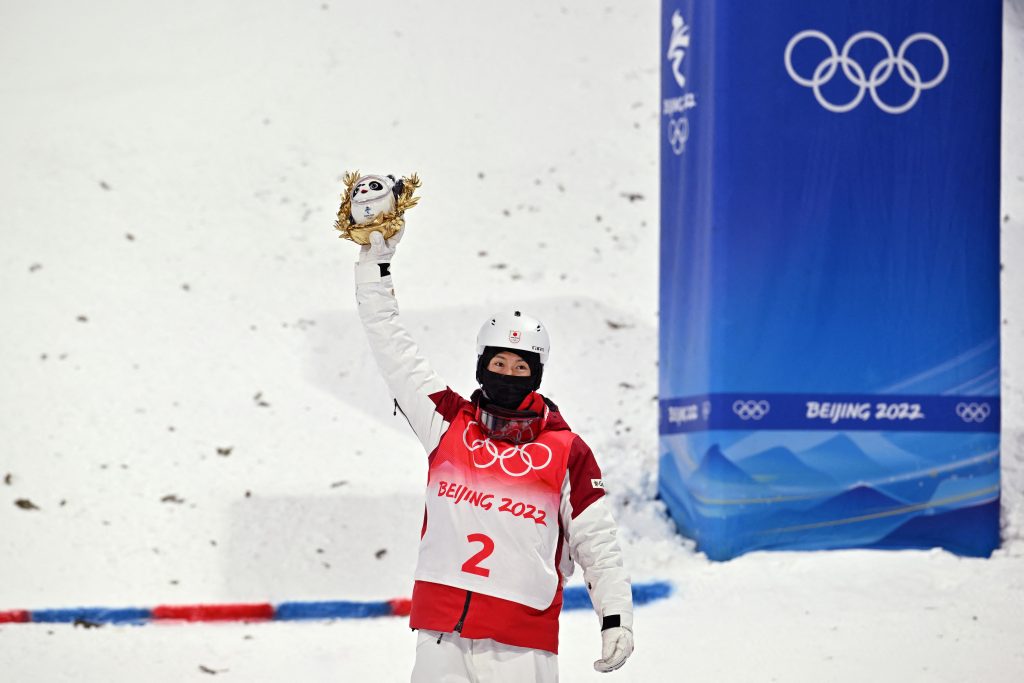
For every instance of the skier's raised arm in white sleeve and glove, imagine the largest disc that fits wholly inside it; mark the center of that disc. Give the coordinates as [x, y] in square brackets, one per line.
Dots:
[416, 388]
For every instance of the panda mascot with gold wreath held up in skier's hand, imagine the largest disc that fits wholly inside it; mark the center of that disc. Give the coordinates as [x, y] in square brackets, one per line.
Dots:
[375, 203]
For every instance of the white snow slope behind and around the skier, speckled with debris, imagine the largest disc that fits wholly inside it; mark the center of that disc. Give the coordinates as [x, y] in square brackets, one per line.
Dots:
[188, 398]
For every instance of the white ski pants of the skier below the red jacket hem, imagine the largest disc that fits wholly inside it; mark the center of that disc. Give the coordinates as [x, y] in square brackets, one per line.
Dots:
[458, 660]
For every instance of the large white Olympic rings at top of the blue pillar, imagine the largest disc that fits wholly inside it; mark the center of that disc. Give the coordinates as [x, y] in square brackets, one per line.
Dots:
[867, 81]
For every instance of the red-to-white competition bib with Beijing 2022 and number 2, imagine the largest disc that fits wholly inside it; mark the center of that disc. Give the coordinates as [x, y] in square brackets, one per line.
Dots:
[493, 514]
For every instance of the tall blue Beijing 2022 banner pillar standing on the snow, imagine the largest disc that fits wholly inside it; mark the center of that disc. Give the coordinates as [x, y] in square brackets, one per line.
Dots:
[830, 314]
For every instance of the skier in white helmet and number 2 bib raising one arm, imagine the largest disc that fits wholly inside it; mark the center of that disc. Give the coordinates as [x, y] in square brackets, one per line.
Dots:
[514, 499]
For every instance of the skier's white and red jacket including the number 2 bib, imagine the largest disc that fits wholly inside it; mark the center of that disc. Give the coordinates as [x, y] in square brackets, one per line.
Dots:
[503, 525]
